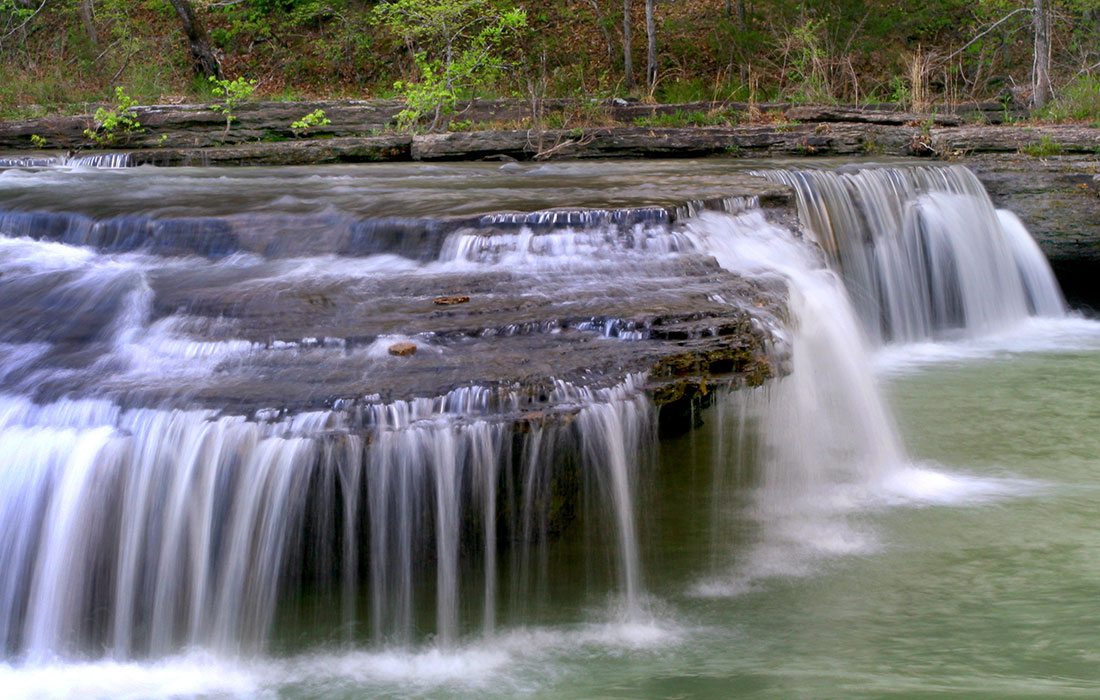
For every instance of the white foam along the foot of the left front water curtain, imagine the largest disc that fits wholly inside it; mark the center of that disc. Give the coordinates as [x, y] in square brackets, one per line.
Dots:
[520, 662]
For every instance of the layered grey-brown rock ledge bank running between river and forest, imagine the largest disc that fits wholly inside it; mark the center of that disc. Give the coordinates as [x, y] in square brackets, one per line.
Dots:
[362, 132]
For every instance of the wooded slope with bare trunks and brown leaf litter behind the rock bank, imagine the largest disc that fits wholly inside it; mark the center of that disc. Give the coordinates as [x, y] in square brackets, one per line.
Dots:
[61, 57]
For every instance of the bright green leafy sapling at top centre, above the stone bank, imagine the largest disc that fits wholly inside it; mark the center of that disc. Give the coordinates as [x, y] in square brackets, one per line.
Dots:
[458, 51]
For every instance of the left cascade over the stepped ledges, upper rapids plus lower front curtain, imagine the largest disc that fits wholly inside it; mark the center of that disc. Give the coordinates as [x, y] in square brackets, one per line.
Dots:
[145, 531]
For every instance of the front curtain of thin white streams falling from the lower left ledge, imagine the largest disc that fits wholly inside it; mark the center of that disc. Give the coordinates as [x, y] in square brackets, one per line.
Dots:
[148, 531]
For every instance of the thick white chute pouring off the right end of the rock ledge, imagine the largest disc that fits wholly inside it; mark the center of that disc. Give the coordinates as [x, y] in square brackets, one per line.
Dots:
[830, 362]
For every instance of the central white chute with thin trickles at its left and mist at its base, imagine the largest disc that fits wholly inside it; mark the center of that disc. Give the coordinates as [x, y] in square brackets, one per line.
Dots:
[813, 473]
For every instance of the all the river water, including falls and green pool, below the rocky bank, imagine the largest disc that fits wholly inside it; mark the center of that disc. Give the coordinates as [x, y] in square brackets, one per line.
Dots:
[909, 513]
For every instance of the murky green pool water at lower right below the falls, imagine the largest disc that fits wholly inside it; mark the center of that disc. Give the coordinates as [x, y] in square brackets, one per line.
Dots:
[992, 594]
